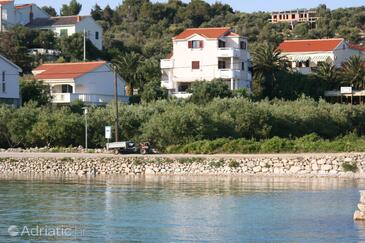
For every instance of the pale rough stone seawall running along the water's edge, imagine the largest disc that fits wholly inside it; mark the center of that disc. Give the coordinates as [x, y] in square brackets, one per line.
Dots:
[351, 165]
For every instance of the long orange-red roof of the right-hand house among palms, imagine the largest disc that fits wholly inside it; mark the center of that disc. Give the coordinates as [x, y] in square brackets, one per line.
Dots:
[309, 45]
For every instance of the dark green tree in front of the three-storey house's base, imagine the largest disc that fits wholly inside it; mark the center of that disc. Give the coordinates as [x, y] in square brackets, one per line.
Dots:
[205, 91]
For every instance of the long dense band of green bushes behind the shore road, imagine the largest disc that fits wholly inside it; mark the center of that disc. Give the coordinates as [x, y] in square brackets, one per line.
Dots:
[235, 125]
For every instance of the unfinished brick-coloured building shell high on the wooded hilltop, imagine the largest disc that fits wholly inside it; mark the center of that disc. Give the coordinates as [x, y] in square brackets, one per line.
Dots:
[295, 16]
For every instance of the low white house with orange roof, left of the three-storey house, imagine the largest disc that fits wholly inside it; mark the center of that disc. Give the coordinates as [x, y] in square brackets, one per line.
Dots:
[89, 82]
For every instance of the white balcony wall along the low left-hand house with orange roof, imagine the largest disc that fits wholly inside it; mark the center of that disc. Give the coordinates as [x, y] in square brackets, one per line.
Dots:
[65, 98]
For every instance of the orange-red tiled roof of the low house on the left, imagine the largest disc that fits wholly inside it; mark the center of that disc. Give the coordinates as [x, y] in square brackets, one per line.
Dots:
[66, 70]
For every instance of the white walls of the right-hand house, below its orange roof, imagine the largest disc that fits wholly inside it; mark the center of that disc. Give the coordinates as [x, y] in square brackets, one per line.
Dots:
[306, 62]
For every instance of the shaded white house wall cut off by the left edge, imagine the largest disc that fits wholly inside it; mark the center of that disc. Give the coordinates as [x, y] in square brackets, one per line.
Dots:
[9, 82]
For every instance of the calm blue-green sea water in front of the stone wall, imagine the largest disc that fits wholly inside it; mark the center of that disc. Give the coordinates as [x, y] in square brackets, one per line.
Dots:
[179, 209]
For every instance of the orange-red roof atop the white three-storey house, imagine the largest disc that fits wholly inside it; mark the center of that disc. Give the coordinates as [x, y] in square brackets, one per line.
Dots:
[210, 33]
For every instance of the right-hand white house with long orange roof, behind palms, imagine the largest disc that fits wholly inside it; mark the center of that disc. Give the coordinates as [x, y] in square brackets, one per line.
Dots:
[305, 55]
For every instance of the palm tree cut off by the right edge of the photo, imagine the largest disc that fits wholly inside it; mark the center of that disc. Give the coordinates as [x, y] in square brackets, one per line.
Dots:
[352, 72]
